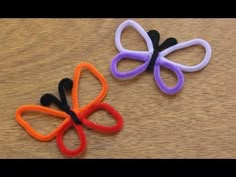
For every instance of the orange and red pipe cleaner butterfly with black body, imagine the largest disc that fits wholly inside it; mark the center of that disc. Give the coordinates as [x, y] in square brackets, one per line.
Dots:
[74, 116]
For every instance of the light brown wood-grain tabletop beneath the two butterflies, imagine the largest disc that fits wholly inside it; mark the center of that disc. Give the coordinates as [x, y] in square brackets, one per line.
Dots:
[199, 122]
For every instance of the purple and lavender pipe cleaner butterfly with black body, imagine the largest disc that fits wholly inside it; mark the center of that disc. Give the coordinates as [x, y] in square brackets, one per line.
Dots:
[155, 57]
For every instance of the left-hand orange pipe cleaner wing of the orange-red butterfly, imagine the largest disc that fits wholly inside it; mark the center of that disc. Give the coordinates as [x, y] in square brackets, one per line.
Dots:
[41, 109]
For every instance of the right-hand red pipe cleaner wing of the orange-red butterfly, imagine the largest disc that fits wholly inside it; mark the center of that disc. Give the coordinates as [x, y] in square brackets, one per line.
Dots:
[98, 127]
